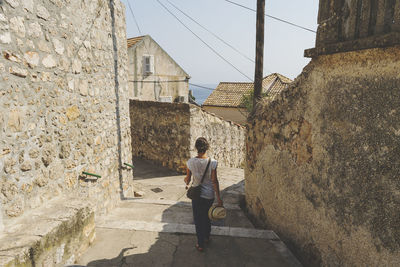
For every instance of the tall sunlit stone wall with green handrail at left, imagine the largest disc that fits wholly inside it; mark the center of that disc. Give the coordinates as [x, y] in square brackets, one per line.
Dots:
[63, 110]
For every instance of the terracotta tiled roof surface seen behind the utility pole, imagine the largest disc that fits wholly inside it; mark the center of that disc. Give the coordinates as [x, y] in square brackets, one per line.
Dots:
[230, 94]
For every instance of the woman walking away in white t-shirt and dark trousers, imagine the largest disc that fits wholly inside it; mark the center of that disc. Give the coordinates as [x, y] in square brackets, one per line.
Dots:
[197, 166]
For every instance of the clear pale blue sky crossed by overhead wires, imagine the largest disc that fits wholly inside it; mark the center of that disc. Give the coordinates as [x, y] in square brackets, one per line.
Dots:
[284, 44]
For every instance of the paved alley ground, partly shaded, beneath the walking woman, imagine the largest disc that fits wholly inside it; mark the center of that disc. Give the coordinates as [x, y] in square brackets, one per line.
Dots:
[158, 230]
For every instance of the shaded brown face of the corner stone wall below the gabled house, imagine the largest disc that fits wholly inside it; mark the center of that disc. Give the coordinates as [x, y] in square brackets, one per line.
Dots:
[160, 132]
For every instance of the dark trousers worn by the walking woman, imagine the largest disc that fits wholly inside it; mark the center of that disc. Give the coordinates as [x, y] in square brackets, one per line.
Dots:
[202, 222]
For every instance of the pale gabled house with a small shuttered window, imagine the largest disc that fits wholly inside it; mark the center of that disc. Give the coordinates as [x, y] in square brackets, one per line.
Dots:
[153, 74]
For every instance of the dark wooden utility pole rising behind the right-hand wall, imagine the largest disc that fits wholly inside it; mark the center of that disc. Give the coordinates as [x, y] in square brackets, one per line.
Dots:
[258, 73]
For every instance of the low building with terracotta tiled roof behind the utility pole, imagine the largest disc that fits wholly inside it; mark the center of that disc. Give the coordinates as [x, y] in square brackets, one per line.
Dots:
[226, 100]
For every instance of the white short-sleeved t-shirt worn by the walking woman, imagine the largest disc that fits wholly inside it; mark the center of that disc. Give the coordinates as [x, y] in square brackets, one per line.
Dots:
[197, 166]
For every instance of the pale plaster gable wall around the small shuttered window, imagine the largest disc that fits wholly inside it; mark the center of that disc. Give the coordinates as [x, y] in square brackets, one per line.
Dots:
[165, 70]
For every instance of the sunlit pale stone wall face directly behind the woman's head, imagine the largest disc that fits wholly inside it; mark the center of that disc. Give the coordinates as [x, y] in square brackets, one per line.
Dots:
[226, 138]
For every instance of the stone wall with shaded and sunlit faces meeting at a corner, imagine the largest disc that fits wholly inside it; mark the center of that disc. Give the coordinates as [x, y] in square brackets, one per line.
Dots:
[166, 133]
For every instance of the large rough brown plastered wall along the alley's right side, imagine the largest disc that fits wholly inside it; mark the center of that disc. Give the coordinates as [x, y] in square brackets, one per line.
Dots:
[323, 161]
